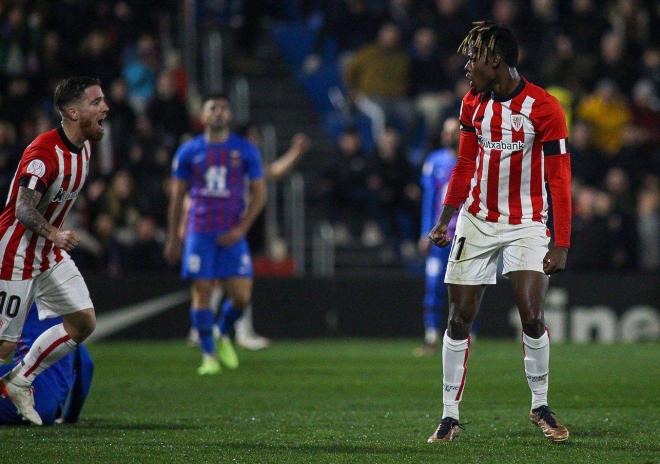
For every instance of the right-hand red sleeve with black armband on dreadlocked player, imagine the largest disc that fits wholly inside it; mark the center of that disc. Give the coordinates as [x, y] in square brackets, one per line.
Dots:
[551, 124]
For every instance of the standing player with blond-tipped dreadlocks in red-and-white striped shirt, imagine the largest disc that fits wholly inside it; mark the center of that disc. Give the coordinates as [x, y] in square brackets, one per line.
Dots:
[512, 146]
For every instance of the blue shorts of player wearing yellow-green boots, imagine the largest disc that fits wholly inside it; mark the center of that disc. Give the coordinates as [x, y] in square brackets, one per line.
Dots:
[203, 258]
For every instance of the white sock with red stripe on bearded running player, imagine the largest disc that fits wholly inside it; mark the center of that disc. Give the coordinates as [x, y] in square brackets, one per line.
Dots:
[46, 350]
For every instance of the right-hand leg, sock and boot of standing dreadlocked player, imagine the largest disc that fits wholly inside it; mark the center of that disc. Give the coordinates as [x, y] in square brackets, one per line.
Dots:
[529, 289]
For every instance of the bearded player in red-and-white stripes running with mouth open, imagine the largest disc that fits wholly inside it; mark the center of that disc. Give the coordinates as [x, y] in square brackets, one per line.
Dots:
[34, 263]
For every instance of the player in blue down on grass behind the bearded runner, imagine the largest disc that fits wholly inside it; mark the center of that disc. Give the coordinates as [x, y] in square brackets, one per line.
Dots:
[60, 392]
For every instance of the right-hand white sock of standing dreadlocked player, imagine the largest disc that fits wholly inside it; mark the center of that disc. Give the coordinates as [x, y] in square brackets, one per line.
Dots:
[537, 361]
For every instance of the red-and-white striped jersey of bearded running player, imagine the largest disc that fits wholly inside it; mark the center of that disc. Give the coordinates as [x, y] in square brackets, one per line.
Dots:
[52, 165]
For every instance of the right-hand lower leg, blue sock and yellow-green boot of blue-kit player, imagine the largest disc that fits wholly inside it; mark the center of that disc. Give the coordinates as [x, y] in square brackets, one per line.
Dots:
[239, 293]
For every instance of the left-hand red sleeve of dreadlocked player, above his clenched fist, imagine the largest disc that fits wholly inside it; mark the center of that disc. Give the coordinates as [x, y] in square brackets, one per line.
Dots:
[459, 183]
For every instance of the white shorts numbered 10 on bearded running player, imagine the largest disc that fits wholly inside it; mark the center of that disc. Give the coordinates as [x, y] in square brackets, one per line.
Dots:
[60, 290]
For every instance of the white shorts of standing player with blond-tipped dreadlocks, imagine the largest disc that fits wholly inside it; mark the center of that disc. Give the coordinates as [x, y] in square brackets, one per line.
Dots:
[477, 245]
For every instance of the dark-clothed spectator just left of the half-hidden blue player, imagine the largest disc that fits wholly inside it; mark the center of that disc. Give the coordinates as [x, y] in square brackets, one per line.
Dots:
[393, 184]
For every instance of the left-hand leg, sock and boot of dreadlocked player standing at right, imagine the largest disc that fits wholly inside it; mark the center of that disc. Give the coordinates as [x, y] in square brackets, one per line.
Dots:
[464, 302]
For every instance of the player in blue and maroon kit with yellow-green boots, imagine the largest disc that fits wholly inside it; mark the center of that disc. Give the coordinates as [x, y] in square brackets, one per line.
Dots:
[222, 172]
